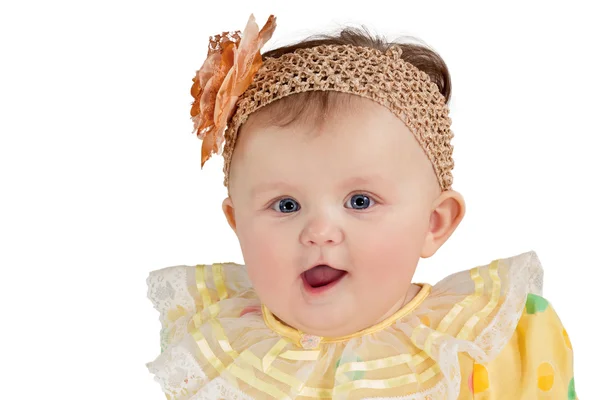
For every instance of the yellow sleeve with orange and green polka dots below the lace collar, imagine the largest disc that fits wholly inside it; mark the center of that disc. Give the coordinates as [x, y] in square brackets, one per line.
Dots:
[536, 363]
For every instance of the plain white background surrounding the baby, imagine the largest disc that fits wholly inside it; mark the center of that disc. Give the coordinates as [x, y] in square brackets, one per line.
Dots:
[101, 180]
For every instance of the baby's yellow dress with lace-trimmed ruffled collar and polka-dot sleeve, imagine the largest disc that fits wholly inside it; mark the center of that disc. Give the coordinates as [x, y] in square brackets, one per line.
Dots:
[484, 333]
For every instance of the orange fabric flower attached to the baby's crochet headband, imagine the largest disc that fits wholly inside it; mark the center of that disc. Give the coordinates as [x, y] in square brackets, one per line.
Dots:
[228, 70]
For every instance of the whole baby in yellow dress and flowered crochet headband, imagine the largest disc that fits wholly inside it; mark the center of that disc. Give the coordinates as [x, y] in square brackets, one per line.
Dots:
[338, 168]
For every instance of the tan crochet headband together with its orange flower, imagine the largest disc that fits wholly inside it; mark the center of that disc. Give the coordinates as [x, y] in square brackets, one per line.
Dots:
[235, 81]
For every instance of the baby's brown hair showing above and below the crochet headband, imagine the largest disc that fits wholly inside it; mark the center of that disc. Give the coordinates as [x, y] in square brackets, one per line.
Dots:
[317, 103]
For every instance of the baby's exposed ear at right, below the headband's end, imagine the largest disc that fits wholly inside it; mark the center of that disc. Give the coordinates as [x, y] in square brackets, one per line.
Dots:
[448, 211]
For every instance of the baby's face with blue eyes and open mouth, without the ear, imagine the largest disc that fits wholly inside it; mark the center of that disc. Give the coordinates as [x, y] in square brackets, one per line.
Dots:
[354, 194]
